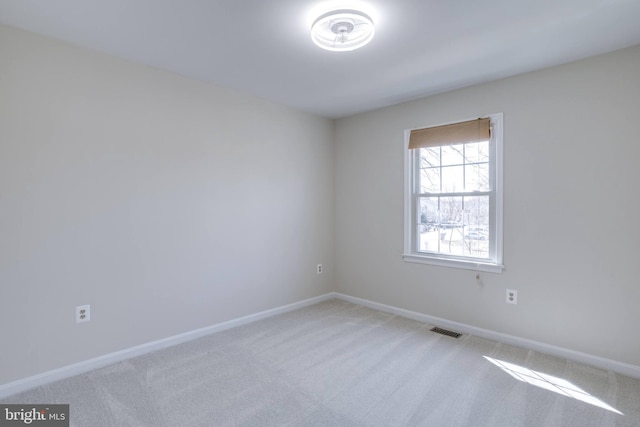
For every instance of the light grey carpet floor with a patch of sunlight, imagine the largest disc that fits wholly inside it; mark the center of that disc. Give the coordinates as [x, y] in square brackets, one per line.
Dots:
[341, 364]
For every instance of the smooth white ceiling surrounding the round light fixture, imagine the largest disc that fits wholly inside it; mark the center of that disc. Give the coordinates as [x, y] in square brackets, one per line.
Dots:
[263, 47]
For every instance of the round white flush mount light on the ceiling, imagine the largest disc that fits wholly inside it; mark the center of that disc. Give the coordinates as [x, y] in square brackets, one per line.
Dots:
[342, 30]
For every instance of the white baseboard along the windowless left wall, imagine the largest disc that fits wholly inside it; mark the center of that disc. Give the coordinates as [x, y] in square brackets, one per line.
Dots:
[108, 359]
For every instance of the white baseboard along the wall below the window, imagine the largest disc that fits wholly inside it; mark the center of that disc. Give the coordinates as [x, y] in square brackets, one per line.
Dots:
[587, 359]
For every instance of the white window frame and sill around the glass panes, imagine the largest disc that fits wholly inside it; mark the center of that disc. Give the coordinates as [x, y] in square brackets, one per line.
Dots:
[411, 254]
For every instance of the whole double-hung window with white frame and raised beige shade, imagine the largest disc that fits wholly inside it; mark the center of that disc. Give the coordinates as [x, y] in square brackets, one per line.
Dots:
[453, 194]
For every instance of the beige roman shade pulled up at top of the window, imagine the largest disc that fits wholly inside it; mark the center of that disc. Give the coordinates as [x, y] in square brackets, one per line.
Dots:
[455, 133]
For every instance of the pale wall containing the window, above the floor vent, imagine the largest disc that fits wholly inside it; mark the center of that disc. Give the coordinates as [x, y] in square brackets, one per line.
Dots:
[572, 220]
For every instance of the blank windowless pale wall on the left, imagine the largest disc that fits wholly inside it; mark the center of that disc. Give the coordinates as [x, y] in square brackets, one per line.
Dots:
[165, 203]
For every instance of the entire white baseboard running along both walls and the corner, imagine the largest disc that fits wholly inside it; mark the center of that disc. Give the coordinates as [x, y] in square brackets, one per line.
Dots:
[108, 359]
